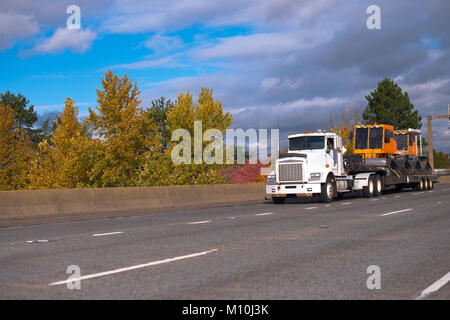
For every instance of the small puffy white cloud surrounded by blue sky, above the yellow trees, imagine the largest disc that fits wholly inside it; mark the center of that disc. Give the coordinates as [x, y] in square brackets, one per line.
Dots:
[63, 39]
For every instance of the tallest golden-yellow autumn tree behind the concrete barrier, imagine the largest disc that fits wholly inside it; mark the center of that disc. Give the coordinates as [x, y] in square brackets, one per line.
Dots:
[124, 135]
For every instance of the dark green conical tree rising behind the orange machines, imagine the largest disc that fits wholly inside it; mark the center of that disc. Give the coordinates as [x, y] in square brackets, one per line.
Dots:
[389, 105]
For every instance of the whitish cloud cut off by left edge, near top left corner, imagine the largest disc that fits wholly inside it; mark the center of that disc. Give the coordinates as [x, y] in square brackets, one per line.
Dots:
[15, 25]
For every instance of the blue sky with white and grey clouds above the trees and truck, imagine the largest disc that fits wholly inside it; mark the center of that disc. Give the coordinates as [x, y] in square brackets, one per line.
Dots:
[286, 62]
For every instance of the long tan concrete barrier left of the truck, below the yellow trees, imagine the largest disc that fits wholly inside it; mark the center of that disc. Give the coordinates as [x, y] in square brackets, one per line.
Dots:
[58, 203]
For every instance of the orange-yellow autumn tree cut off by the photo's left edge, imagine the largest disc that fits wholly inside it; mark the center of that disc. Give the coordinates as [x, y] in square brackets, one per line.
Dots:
[15, 151]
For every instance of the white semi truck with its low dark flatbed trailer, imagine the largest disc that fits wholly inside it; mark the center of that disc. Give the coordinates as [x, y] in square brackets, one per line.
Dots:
[314, 165]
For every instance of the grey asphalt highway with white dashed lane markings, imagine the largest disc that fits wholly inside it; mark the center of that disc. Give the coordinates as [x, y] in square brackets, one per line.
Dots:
[299, 250]
